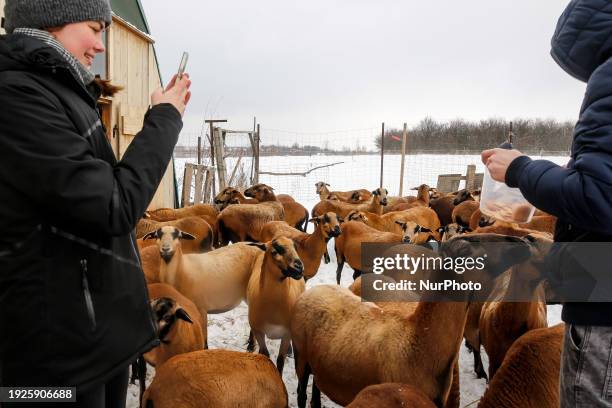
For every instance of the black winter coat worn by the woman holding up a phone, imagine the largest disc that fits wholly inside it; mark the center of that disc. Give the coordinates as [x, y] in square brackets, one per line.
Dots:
[73, 302]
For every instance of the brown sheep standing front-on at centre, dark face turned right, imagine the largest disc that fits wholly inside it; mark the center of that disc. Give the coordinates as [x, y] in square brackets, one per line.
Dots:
[275, 284]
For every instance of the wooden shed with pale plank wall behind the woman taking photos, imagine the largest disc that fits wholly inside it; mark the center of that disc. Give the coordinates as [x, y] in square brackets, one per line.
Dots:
[129, 61]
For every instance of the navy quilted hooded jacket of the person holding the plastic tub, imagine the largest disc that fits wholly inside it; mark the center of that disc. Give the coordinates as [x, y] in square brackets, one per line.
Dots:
[580, 195]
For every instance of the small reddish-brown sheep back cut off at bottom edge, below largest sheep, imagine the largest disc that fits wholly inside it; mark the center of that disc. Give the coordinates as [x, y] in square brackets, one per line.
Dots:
[391, 395]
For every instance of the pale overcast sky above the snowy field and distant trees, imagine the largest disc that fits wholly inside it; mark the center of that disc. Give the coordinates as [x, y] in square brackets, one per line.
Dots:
[318, 66]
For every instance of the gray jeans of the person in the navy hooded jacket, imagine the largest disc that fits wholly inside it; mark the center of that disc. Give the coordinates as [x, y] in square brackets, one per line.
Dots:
[586, 367]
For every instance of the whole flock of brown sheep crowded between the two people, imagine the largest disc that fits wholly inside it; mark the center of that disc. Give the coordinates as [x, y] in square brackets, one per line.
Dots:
[360, 354]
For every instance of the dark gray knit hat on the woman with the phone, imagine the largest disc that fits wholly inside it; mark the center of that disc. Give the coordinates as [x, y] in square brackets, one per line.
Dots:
[53, 13]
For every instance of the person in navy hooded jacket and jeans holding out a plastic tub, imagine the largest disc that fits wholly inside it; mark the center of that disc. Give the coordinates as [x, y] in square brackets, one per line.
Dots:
[579, 194]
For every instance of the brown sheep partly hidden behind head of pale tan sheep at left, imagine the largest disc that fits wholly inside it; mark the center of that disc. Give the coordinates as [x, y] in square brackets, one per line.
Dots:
[194, 225]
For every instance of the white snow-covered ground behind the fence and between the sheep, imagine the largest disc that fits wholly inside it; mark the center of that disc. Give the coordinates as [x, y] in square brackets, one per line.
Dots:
[230, 330]
